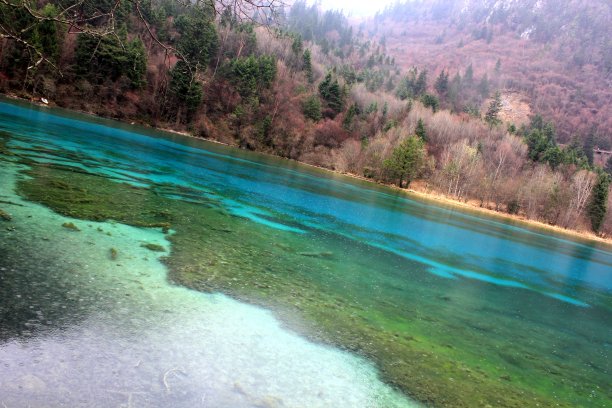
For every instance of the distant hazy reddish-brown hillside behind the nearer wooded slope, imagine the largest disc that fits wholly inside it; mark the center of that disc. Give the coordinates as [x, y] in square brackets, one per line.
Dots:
[558, 54]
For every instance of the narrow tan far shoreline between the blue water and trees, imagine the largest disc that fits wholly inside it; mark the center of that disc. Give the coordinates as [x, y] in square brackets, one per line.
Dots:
[412, 193]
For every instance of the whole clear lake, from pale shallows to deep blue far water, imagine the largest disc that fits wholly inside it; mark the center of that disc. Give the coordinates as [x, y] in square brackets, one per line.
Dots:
[478, 300]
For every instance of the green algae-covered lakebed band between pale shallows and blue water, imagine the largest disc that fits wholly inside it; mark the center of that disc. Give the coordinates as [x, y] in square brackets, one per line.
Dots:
[436, 351]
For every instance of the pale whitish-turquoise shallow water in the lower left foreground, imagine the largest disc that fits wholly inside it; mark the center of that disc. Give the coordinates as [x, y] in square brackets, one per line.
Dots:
[81, 329]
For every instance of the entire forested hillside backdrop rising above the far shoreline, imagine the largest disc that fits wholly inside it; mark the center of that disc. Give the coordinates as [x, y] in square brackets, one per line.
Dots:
[312, 86]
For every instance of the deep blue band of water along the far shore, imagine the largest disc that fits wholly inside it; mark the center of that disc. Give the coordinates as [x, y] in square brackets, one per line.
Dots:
[282, 194]
